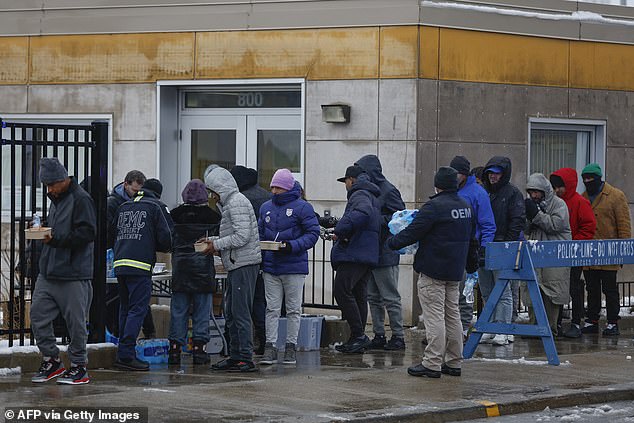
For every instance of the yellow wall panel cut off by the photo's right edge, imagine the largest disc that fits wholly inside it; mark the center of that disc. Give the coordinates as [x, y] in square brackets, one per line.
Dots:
[601, 65]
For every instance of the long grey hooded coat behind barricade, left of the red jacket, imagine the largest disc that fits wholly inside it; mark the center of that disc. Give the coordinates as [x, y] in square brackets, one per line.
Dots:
[551, 223]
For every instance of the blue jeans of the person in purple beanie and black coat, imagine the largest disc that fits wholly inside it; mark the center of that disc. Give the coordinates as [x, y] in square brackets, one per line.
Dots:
[179, 315]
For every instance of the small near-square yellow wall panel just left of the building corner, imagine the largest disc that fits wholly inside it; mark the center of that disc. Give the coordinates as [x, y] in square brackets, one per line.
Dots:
[399, 52]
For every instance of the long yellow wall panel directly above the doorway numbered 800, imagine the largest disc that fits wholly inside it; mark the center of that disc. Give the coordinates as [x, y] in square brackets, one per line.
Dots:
[314, 54]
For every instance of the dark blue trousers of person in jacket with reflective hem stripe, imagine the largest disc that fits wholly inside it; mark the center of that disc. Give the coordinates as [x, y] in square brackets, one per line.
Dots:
[135, 293]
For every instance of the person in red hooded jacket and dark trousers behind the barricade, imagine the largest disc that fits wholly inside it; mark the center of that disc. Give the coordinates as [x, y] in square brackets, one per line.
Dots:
[583, 225]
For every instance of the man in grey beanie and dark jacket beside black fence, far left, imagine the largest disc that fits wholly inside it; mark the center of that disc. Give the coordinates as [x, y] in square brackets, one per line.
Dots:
[64, 282]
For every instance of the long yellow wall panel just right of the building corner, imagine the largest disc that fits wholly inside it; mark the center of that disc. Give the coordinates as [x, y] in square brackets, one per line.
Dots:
[501, 58]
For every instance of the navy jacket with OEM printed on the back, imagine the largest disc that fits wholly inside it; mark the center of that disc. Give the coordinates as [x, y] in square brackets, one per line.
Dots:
[444, 227]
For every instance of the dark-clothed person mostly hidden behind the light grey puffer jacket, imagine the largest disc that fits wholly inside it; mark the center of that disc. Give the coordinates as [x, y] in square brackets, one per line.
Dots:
[247, 180]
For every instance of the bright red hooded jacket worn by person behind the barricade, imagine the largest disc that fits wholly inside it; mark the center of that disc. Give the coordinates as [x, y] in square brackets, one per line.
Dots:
[583, 224]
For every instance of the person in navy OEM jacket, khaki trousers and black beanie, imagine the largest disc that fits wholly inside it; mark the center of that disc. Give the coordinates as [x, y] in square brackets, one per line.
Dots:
[444, 228]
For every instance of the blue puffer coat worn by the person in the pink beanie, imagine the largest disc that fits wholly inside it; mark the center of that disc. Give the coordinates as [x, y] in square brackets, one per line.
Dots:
[286, 217]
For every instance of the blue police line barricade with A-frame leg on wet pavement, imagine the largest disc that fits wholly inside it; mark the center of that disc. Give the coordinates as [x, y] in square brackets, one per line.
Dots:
[518, 261]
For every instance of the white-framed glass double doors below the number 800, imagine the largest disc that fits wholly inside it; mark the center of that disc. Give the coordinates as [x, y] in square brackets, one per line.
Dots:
[262, 142]
